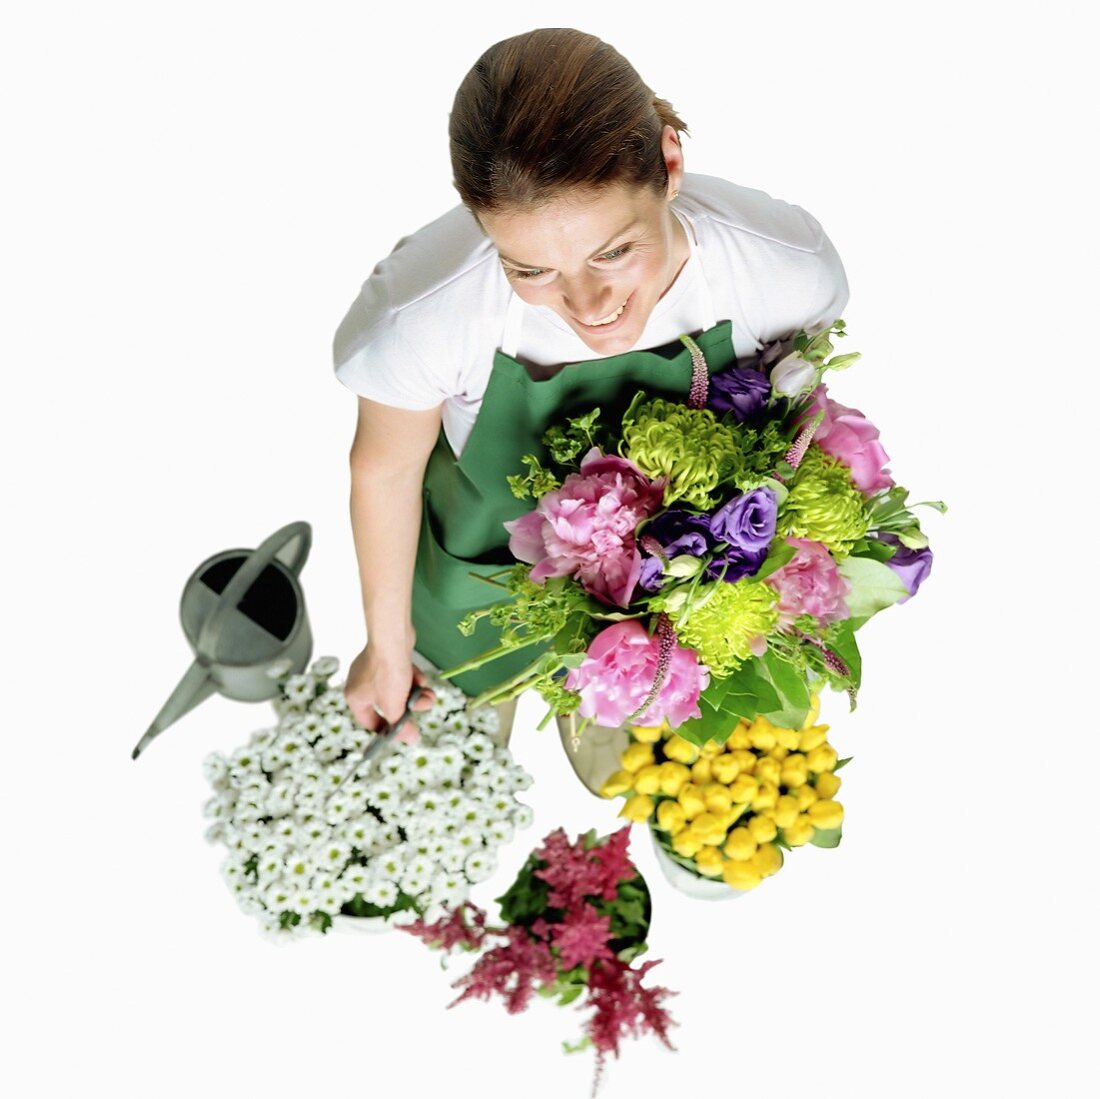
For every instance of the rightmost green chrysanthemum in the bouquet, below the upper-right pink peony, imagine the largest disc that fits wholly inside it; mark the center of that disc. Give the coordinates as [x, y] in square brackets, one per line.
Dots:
[824, 505]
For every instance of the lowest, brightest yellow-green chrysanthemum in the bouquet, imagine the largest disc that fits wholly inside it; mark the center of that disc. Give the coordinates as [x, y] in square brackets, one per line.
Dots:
[722, 630]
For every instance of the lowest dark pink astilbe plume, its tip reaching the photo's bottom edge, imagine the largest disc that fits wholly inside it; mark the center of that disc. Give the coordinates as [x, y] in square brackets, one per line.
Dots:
[623, 1008]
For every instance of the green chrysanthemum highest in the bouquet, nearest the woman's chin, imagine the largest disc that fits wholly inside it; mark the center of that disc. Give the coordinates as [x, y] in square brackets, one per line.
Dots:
[688, 446]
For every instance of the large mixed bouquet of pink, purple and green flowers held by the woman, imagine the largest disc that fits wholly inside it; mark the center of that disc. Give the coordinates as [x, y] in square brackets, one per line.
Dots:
[707, 562]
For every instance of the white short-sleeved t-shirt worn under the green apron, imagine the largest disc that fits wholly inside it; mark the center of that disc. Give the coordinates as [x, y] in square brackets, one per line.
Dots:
[426, 325]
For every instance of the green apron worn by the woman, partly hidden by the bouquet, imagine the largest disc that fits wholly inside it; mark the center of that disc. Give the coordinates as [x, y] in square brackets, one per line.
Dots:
[467, 500]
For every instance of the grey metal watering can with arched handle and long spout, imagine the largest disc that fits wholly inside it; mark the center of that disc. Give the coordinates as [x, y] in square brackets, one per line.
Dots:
[244, 613]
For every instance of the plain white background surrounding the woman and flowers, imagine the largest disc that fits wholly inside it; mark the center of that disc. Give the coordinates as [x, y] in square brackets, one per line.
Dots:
[194, 194]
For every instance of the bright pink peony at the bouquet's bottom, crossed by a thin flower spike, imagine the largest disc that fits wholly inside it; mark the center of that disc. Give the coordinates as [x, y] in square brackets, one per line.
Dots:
[619, 674]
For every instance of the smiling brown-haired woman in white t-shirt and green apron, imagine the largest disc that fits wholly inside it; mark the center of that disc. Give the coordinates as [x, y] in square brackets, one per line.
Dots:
[579, 256]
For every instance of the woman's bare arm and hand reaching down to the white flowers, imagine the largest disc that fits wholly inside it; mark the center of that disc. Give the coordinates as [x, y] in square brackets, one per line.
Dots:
[389, 457]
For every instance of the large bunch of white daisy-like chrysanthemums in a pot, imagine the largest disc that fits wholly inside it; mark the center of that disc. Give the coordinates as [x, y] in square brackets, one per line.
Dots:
[403, 840]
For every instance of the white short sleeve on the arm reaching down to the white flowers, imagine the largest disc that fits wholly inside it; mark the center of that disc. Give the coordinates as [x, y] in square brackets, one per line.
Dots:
[375, 359]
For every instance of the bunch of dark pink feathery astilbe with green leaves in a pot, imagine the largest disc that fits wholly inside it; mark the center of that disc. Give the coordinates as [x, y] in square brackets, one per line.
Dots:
[575, 920]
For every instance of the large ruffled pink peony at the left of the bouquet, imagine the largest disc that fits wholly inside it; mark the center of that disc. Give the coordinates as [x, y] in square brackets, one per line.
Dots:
[586, 529]
